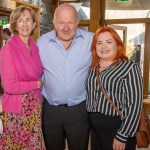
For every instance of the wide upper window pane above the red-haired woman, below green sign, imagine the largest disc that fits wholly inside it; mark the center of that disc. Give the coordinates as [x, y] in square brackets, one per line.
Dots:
[124, 10]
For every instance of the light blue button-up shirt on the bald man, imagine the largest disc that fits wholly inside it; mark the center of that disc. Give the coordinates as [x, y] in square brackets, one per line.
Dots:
[65, 70]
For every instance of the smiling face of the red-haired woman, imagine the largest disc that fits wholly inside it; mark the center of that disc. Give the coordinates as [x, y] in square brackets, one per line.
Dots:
[106, 46]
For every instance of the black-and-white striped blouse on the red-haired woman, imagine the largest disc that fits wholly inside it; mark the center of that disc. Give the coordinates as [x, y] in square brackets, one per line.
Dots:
[124, 85]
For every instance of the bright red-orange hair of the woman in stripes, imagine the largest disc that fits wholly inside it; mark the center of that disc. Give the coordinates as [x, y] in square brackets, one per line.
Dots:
[121, 48]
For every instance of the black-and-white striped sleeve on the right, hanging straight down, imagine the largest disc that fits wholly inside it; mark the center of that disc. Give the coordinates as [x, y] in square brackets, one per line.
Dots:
[133, 90]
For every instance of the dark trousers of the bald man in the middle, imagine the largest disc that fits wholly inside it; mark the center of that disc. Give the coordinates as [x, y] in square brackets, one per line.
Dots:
[60, 123]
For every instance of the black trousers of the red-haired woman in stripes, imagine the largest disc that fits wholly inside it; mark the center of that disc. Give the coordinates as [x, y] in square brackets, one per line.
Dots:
[103, 130]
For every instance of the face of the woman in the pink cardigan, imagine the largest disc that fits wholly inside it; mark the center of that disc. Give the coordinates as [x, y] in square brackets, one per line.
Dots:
[25, 24]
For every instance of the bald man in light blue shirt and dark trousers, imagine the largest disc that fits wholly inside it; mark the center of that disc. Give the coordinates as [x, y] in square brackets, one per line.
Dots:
[65, 54]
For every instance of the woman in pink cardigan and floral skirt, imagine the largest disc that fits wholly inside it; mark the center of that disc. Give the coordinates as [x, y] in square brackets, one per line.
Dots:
[21, 72]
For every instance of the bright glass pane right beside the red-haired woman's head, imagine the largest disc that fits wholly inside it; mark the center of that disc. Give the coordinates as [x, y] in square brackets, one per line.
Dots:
[134, 41]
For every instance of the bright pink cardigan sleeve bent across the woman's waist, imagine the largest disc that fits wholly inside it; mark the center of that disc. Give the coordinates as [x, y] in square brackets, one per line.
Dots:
[8, 75]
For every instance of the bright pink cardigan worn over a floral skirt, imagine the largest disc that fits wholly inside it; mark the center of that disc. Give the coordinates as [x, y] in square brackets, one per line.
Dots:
[20, 70]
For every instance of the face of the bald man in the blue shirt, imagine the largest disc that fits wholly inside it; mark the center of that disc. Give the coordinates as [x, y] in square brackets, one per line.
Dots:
[66, 24]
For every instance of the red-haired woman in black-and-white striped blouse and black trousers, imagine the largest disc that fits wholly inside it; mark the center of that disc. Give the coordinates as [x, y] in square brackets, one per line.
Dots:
[121, 82]
